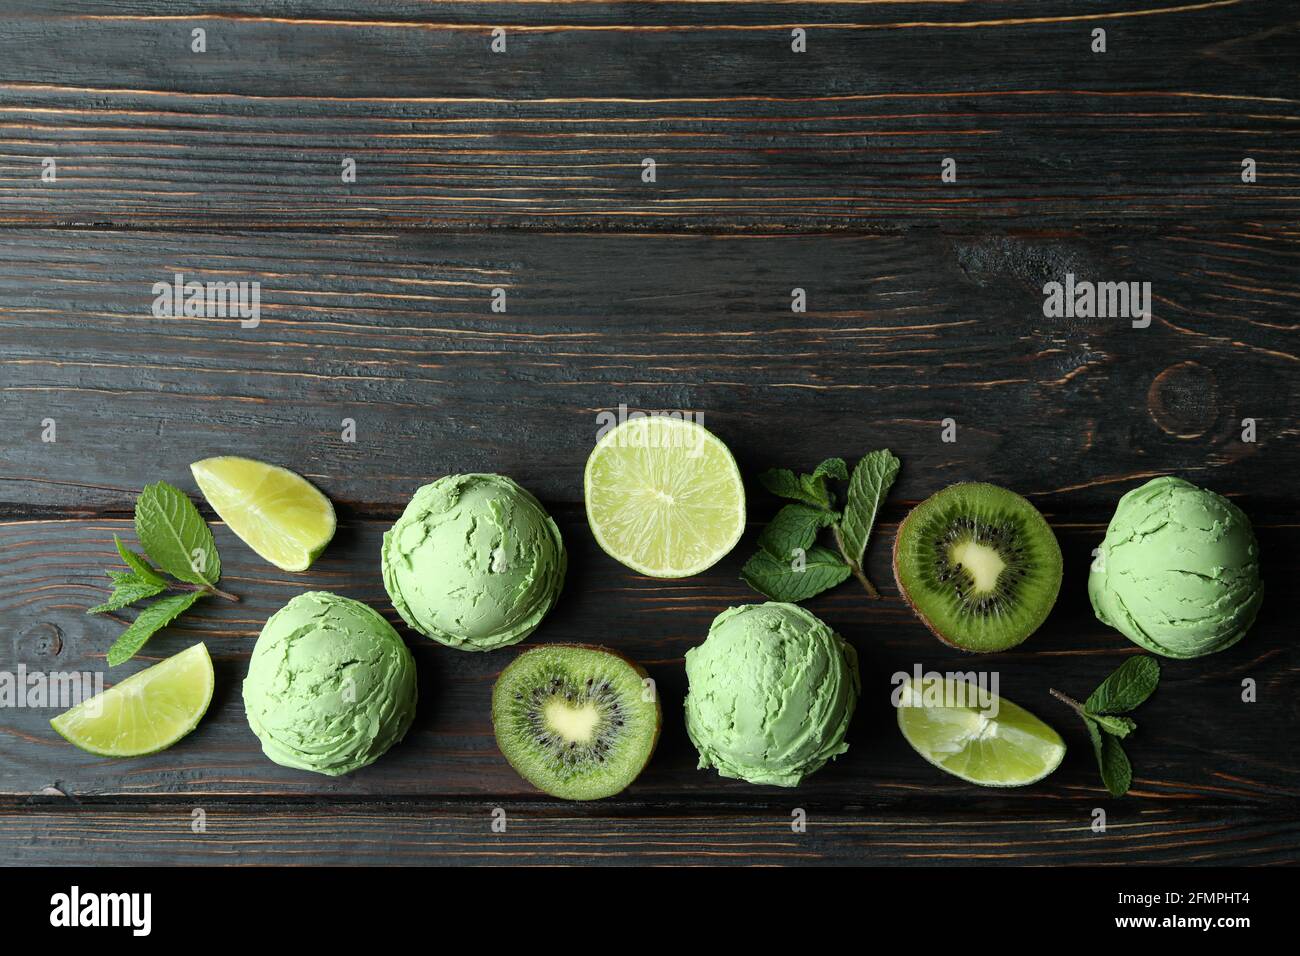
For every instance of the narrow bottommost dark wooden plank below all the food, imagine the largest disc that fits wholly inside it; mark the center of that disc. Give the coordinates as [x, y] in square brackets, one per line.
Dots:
[279, 836]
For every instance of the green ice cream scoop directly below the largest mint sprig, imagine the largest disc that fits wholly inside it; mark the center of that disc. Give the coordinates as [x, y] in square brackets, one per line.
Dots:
[772, 693]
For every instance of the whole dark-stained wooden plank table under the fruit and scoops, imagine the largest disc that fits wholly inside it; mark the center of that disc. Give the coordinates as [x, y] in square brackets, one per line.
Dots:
[523, 171]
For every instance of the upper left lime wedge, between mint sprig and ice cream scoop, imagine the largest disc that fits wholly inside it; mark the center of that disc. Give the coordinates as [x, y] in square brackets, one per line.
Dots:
[279, 514]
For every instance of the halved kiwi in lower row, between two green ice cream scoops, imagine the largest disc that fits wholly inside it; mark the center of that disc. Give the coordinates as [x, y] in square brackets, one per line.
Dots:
[575, 721]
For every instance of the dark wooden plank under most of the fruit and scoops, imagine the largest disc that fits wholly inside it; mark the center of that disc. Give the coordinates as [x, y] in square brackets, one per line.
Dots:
[1198, 743]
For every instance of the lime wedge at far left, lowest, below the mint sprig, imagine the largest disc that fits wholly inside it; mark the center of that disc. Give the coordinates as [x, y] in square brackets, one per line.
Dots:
[146, 713]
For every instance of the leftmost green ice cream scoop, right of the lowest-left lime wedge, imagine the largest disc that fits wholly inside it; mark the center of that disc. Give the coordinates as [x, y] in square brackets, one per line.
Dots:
[331, 686]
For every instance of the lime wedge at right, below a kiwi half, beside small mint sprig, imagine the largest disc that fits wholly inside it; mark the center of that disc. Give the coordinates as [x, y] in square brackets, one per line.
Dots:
[982, 739]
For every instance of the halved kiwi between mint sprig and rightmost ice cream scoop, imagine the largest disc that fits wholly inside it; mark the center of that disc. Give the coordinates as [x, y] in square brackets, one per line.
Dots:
[980, 566]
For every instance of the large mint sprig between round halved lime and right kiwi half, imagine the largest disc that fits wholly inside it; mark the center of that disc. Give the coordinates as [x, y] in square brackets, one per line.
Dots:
[790, 565]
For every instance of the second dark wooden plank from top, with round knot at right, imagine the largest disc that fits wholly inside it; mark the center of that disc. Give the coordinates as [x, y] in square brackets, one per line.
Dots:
[397, 332]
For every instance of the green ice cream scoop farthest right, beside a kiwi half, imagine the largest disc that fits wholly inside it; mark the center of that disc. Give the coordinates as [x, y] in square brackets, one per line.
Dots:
[1178, 572]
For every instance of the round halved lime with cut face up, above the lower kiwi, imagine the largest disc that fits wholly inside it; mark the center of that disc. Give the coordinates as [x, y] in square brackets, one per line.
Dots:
[664, 496]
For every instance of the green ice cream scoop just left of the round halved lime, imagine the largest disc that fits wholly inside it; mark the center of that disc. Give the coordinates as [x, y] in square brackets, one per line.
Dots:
[474, 563]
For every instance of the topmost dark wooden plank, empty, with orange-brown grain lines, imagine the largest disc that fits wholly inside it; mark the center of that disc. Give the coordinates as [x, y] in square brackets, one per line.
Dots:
[746, 133]
